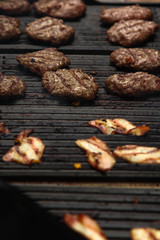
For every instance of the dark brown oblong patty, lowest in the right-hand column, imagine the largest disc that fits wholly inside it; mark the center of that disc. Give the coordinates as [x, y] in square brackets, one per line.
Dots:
[133, 84]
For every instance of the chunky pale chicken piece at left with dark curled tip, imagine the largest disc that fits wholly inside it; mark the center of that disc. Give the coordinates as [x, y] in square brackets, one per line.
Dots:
[27, 150]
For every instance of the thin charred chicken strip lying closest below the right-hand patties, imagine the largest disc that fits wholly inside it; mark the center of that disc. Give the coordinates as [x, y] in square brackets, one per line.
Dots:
[118, 125]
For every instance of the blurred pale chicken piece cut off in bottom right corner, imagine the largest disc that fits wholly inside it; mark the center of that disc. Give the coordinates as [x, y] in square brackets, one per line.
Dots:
[145, 234]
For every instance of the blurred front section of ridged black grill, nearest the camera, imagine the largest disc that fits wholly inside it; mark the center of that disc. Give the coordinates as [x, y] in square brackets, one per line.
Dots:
[117, 210]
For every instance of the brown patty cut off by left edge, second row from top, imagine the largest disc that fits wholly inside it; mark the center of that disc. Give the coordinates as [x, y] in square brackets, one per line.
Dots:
[9, 28]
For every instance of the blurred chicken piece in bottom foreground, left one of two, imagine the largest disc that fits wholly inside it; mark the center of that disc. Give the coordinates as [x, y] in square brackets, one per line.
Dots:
[85, 225]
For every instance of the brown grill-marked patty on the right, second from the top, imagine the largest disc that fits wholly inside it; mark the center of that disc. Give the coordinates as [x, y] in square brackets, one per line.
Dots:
[132, 32]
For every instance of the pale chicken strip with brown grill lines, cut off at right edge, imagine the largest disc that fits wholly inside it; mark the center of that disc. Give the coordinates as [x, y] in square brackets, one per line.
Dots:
[138, 154]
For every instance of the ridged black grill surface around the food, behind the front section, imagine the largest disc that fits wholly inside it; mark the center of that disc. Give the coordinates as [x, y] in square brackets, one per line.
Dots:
[58, 123]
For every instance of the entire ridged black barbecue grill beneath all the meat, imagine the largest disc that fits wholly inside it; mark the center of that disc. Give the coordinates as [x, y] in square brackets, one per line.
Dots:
[59, 124]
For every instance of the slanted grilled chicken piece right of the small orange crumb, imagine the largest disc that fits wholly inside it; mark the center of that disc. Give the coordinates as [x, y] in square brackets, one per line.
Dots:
[99, 155]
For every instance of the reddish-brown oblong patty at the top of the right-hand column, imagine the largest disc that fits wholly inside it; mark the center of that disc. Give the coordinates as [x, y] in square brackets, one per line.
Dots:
[112, 15]
